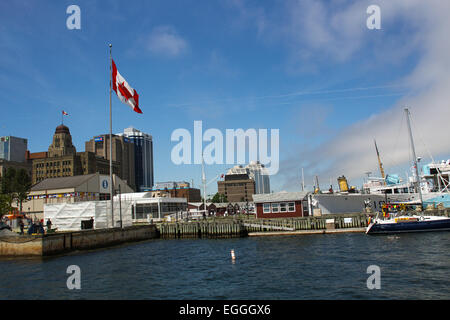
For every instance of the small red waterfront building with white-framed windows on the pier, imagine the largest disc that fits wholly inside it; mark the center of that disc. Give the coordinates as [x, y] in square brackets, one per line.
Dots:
[281, 205]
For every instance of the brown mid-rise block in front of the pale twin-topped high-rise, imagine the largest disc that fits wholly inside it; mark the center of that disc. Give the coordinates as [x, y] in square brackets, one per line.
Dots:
[237, 187]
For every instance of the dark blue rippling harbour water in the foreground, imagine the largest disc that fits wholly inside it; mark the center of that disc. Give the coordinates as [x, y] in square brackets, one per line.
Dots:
[413, 266]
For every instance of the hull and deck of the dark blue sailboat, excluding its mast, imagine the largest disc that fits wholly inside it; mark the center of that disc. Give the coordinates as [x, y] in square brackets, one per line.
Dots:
[404, 223]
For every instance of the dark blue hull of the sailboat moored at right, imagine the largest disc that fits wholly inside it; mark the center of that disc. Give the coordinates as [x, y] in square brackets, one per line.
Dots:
[418, 226]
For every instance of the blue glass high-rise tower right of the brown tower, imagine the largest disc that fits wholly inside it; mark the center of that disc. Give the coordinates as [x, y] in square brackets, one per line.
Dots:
[143, 157]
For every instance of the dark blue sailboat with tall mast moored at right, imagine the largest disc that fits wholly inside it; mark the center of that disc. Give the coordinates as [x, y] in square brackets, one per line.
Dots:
[409, 223]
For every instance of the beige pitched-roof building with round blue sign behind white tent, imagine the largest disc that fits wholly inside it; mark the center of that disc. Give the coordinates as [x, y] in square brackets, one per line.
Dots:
[90, 187]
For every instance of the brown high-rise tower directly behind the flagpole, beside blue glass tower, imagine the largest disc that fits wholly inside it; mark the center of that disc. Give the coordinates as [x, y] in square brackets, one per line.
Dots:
[122, 154]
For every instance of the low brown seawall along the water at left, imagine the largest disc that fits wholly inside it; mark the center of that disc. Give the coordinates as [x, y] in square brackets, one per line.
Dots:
[62, 242]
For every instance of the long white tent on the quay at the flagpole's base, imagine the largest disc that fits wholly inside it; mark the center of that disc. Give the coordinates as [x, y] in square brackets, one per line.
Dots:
[68, 216]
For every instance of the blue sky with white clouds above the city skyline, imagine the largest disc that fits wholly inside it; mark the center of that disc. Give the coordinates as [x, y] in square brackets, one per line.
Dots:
[311, 69]
